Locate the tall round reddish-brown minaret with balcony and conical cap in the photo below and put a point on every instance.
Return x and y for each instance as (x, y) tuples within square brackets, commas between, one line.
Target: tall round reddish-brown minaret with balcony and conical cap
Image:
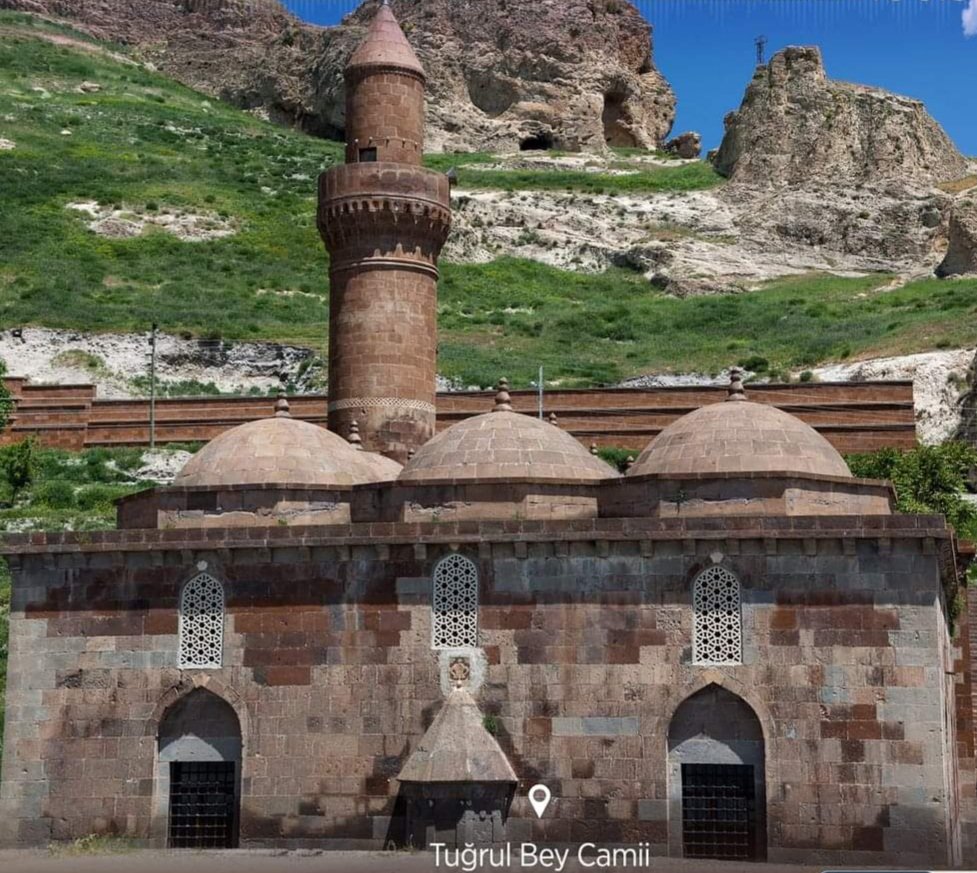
[(384, 219)]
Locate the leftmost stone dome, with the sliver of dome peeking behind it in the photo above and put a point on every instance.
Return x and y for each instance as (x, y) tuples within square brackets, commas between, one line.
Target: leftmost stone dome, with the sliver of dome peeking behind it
[(282, 451)]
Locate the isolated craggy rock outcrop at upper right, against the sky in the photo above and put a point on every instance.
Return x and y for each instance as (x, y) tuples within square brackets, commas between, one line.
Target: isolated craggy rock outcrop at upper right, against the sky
[(796, 127)]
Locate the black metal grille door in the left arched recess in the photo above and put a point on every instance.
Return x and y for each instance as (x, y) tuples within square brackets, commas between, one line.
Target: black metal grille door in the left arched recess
[(203, 805)]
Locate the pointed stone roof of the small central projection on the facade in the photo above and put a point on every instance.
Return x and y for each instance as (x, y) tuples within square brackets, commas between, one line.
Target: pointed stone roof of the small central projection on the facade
[(457, 748)]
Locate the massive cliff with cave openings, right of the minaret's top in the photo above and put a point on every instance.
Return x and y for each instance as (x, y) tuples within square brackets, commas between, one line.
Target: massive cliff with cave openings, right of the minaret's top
[(510, 74)]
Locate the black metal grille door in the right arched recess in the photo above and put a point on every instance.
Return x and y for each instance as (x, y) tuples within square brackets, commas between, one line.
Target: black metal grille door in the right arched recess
[(719, 811)]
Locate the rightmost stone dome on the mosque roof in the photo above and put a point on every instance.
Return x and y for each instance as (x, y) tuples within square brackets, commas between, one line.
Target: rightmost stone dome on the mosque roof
[(739, 437)]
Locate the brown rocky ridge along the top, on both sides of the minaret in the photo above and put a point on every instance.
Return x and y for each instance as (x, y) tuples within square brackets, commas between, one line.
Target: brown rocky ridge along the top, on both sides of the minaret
[(503, 74)]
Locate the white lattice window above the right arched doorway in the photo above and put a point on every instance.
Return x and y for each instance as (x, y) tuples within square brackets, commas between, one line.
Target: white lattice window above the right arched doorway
[(717, 630)]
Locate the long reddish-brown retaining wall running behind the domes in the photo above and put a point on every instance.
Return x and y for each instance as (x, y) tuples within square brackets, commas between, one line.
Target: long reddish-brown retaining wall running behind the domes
[(854, 417)]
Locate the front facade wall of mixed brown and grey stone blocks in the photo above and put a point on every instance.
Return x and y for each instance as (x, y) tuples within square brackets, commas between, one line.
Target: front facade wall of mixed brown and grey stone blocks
[(585, 657)]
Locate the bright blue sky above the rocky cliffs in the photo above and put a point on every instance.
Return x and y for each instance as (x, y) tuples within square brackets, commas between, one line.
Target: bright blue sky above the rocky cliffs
[(922, 48)]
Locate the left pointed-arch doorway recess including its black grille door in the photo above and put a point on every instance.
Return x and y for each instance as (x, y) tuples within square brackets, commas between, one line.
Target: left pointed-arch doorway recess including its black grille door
[(199, 772)]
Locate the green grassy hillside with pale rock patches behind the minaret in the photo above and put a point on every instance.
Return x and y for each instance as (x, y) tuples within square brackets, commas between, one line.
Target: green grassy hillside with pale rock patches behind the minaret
[(600, 267)]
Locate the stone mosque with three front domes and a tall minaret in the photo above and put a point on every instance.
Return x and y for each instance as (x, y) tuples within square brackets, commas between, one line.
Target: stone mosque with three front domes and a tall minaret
[(374, 636)]
